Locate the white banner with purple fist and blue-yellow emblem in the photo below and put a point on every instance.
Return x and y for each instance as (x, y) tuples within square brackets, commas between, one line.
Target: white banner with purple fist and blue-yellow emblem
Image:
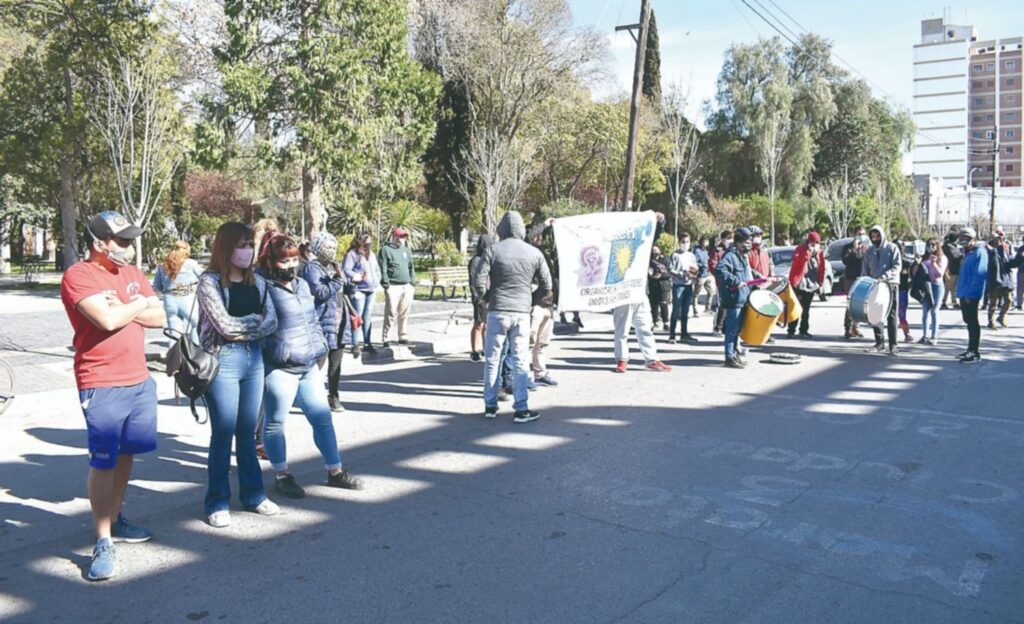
[(603, 260)]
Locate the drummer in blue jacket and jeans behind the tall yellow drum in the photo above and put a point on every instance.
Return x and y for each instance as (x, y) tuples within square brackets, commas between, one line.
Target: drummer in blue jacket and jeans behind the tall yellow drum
[(735, 277)]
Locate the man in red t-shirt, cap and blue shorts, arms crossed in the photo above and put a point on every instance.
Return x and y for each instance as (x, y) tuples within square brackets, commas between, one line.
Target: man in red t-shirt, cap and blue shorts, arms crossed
[(110, 303)]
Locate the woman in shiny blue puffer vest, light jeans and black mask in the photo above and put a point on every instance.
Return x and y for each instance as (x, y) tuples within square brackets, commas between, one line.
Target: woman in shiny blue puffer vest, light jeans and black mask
[(290, 356)]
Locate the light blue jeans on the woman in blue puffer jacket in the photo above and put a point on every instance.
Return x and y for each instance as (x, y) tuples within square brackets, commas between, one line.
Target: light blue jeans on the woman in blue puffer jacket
[(307, 391)]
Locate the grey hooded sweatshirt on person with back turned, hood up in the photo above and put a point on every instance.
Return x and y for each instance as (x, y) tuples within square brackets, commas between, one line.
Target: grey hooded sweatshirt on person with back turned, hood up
[(511, 268)]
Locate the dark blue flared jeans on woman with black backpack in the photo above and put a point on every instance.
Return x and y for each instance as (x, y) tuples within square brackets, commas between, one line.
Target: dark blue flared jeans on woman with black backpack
[(234, 399)]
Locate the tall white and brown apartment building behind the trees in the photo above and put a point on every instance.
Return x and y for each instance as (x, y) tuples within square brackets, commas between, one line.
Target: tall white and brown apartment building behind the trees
[(965, 93)]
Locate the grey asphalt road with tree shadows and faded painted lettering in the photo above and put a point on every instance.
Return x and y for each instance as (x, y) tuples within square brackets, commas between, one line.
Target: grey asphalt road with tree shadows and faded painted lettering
[(848, 488)]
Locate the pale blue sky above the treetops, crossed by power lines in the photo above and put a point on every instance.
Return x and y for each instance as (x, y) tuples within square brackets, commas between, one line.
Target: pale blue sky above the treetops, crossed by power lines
[(875, 36)]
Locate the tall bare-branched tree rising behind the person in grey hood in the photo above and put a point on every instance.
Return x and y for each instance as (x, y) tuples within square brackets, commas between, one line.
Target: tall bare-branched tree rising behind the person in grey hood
[(509, 57)]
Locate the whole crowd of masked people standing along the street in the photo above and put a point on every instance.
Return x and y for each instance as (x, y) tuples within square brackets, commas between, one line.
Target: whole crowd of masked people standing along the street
[(276, 313)]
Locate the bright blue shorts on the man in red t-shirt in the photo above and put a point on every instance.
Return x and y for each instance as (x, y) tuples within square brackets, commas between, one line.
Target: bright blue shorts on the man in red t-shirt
[(121, 421)]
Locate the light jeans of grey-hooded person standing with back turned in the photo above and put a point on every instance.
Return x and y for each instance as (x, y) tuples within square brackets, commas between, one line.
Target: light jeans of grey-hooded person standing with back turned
[(515, 329)]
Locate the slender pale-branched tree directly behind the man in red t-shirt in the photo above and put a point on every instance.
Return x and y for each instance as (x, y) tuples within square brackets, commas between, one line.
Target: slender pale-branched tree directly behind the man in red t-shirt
[(138, 123)]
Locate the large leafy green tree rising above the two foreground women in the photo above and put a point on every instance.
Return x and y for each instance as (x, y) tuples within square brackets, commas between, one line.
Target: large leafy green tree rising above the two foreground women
[(333, 89)]
